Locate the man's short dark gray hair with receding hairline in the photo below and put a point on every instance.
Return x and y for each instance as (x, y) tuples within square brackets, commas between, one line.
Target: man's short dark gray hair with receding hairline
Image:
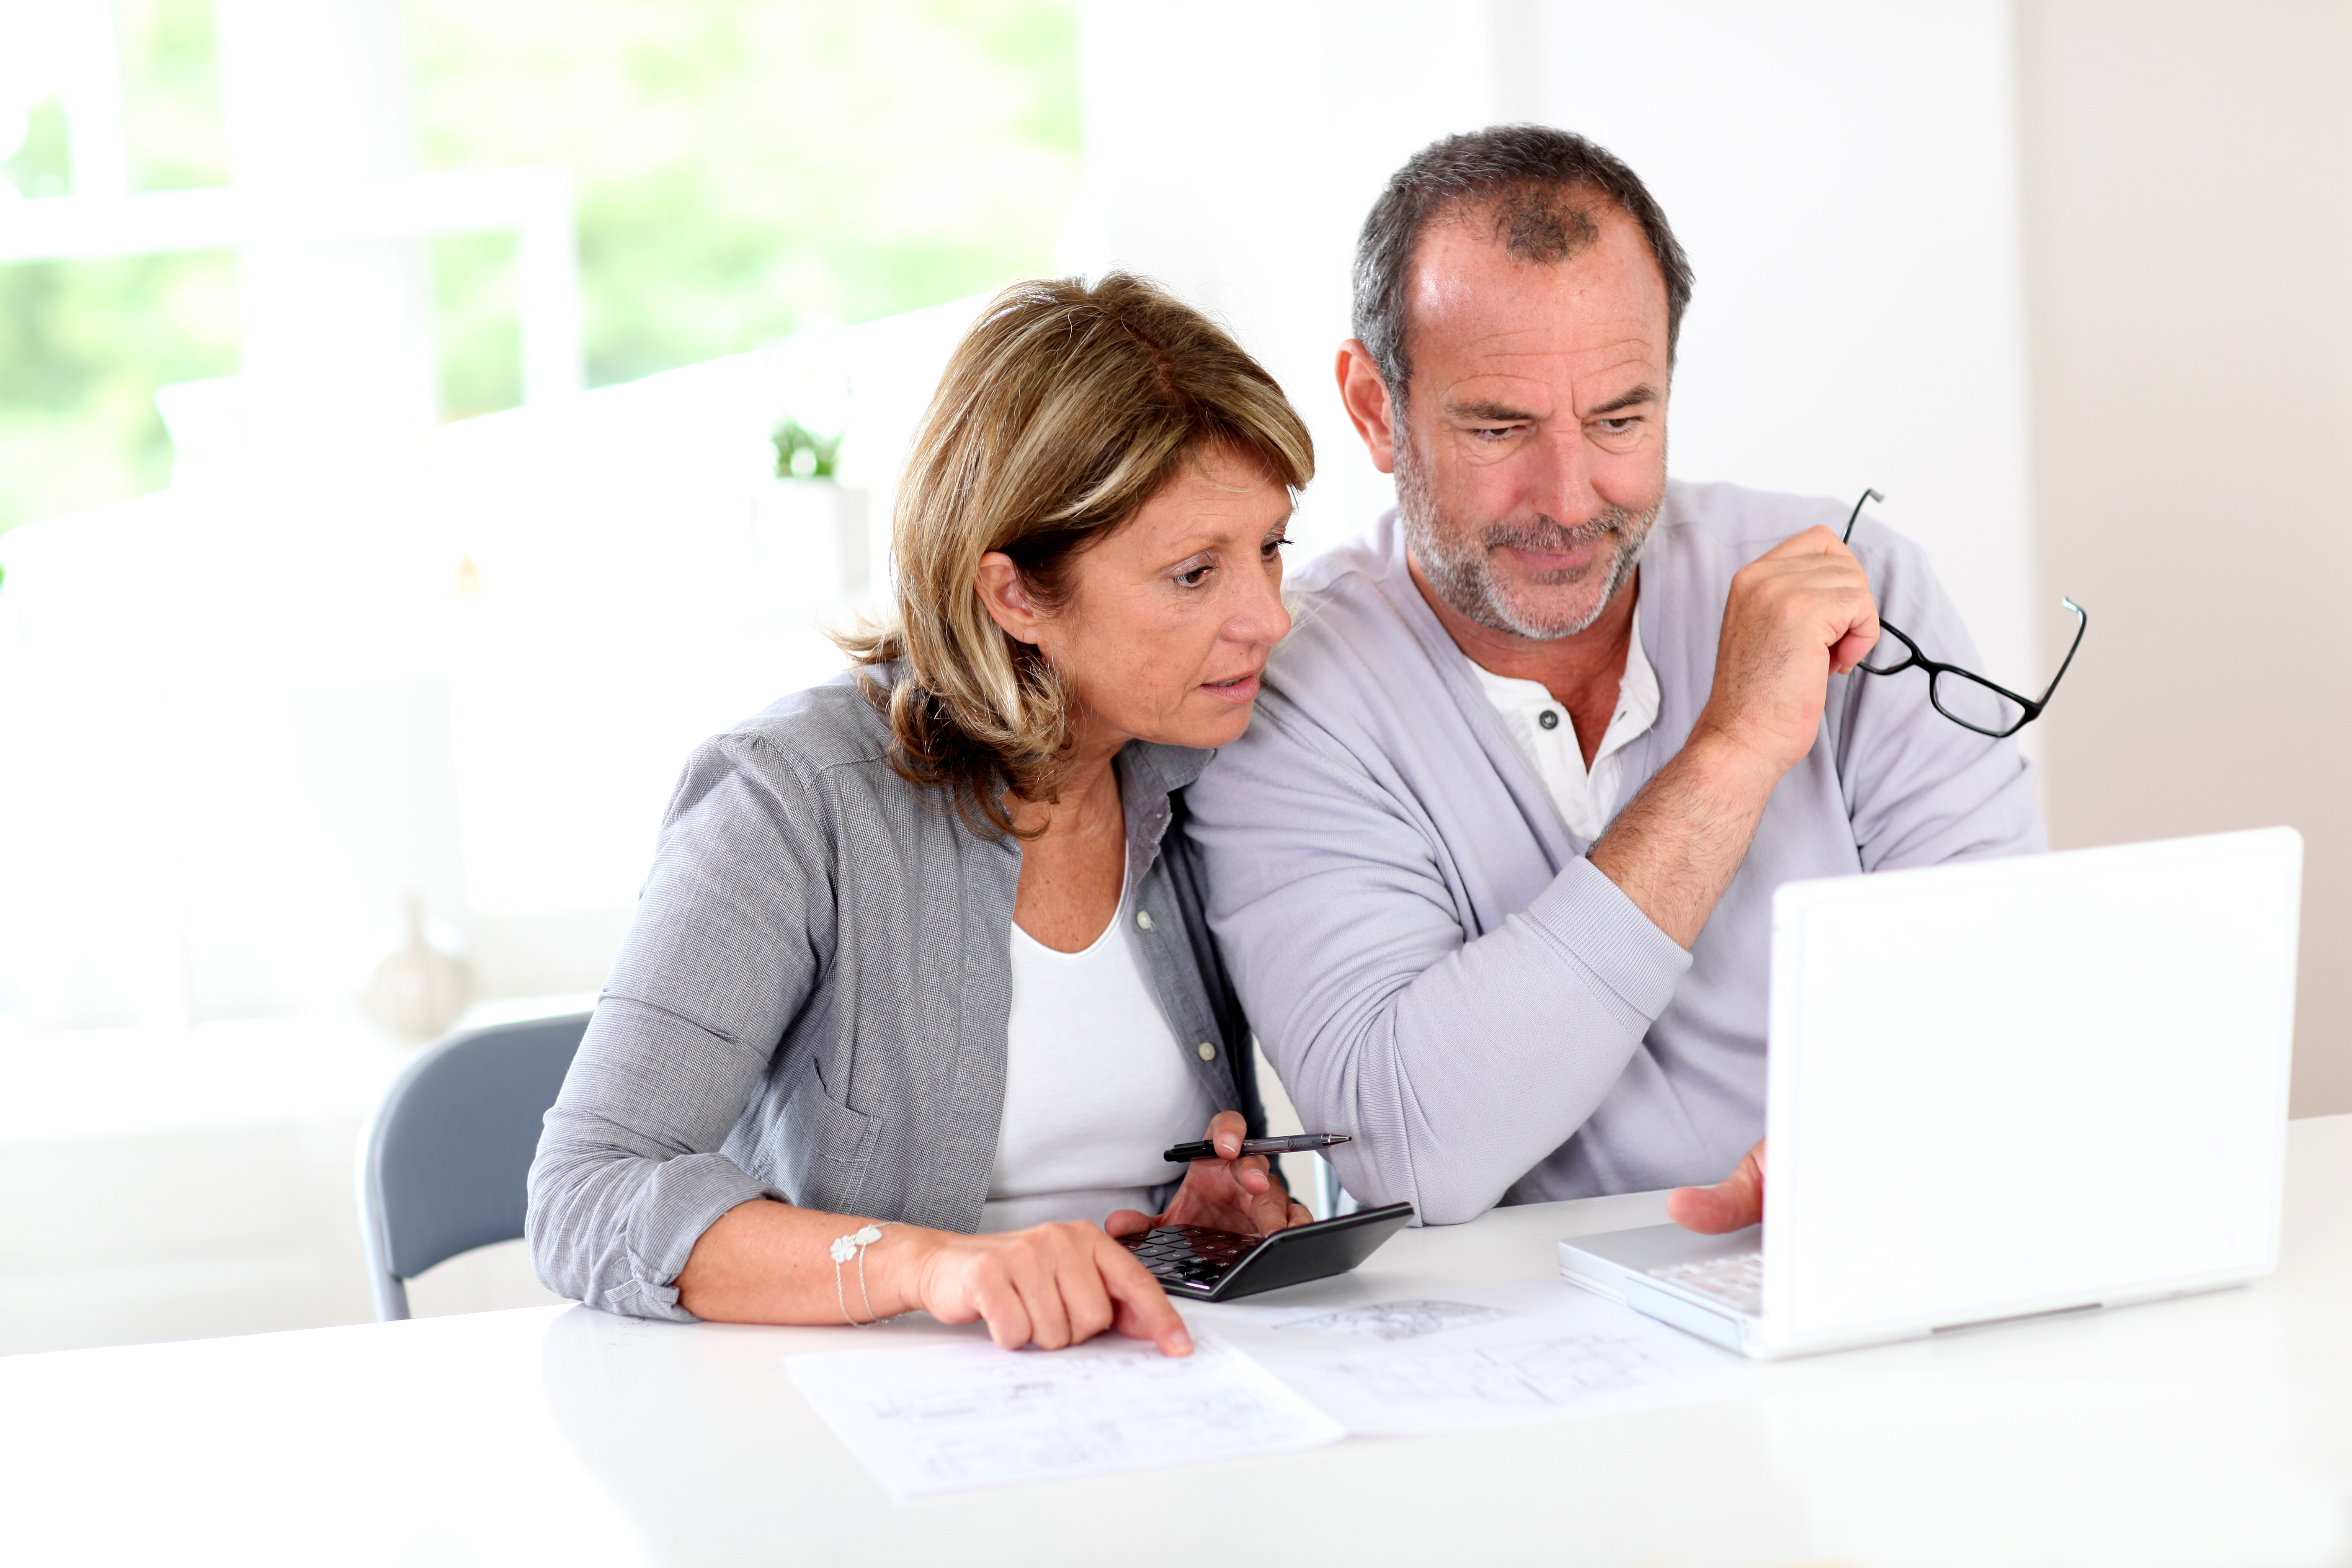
[(1530, 177)]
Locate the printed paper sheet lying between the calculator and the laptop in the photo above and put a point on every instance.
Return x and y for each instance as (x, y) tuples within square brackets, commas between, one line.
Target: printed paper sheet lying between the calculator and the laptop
[(1481, 1358)]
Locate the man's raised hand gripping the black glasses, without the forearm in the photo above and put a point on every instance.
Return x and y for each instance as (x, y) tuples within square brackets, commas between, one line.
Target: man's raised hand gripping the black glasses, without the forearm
[(1796, 615)]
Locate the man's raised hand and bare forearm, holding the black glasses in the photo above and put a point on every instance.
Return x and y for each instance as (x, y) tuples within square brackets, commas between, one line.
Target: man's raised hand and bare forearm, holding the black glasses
[(1796, 615)]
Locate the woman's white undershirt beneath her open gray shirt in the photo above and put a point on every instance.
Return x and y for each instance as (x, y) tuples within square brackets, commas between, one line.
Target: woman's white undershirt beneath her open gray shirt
[(1095, 1085)]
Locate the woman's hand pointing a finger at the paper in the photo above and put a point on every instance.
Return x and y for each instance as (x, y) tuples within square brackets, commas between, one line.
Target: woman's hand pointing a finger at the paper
[(1048, 1285)]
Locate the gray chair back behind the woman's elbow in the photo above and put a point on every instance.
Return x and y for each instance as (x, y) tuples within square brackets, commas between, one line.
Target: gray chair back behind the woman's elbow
[(446, 1162)]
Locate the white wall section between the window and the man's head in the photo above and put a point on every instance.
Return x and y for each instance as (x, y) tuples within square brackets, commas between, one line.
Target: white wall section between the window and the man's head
[(1238, 166)]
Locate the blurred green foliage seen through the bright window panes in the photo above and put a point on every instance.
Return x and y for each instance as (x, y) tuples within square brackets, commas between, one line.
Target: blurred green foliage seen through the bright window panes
[(744, 170)]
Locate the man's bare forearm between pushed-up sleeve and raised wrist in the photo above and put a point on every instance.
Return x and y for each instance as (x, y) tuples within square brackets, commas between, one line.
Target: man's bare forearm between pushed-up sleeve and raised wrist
[(1683, 838)]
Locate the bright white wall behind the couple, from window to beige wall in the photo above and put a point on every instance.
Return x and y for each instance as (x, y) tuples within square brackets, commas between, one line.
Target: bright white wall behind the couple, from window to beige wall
[(1843, 177)]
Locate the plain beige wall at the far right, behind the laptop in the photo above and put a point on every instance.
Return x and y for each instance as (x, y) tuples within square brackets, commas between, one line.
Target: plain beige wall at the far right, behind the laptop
[(2191, 243)]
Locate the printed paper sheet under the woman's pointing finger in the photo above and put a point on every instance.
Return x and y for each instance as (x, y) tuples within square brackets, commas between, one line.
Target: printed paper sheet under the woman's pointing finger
[(961, 1416)]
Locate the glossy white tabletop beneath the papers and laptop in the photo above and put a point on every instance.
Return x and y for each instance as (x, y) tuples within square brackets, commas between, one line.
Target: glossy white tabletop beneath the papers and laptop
[(2198, 1433)]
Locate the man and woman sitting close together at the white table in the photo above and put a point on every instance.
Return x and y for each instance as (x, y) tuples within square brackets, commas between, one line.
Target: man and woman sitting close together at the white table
[(937, 958)]
